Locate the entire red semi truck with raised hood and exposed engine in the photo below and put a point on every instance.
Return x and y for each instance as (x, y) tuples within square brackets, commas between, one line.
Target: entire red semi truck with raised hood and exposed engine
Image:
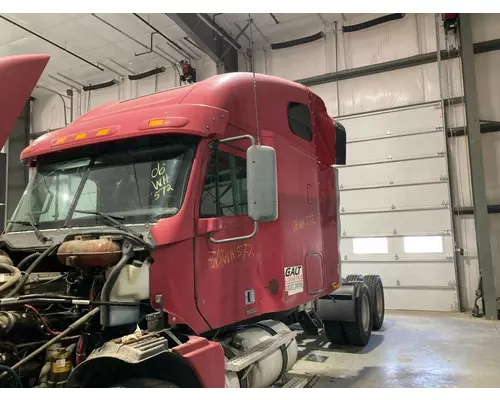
[(176, 239)]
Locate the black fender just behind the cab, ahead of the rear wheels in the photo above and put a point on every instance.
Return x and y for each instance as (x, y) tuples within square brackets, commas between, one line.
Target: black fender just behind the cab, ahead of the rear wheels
[(339, 305)]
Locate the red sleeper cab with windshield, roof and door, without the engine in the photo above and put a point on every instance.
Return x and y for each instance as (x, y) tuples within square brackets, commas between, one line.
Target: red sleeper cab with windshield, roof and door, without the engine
[(151, 161)]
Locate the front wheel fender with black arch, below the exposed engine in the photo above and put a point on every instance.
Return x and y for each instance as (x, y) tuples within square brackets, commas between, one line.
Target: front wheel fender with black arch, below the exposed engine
[(151, 357)]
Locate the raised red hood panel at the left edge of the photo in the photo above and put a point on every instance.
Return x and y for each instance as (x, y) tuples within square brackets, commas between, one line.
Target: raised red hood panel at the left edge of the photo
[(18, 77)]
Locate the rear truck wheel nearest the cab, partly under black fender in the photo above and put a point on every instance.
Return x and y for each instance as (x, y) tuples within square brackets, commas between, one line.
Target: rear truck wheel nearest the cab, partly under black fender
[(358, 333)]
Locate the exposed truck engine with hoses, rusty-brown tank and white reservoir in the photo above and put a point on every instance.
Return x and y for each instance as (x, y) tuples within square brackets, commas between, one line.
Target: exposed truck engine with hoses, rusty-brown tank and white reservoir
[(49, 322)]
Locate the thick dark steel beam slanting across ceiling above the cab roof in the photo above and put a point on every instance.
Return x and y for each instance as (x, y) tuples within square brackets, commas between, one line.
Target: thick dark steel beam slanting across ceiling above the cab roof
[(211, 39)]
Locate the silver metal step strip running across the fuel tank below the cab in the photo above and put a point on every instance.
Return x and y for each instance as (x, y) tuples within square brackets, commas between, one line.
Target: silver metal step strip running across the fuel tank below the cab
[(263, 349)]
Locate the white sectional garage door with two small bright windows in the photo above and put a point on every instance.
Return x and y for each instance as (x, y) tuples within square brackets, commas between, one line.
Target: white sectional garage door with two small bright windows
[(395, 214)]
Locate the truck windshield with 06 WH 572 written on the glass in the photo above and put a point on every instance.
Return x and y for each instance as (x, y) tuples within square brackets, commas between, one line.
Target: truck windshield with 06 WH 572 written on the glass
[(135, 186)]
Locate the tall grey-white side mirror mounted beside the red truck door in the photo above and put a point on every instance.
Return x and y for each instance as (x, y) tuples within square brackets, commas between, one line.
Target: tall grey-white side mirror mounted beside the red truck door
[(262, 184)]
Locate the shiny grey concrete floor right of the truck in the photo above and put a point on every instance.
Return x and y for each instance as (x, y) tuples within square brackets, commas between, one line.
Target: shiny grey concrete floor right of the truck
[(412, 350)]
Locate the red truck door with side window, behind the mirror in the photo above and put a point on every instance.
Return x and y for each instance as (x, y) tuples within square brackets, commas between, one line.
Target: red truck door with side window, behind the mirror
[(224, 271)]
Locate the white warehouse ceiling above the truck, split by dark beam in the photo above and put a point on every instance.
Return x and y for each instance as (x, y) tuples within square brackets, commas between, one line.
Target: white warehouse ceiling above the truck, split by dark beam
[(90, 37)]
